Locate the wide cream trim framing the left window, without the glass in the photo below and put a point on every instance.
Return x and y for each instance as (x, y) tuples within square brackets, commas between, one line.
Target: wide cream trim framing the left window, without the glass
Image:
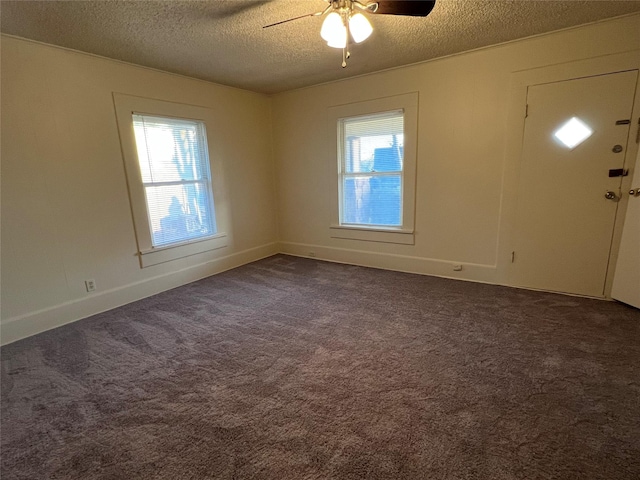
[(125, 106)]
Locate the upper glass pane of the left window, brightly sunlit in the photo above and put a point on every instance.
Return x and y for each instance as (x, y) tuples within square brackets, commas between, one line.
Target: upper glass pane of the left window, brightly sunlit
[(169, 149)]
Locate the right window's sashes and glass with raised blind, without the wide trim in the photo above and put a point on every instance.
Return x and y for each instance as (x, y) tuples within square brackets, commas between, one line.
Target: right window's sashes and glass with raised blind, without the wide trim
[(371, 169)]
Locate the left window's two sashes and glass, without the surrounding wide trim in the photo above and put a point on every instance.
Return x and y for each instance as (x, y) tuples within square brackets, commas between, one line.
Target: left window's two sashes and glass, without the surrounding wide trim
[(174, 166)]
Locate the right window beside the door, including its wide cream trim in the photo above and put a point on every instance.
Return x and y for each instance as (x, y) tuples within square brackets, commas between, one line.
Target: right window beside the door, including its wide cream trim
[(375, 154)]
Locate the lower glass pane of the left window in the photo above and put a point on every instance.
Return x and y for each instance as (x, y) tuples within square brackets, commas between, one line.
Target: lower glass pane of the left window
[(179, 213)]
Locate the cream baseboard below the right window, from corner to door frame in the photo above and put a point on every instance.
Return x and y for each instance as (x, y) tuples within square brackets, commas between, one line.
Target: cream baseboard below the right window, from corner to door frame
[(399, 263)]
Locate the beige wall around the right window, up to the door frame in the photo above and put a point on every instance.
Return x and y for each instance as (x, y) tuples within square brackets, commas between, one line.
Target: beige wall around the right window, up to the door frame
[(465, 121)]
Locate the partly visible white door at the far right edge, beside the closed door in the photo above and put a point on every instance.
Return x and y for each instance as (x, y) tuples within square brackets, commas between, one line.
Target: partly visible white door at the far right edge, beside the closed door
[(626, 282)]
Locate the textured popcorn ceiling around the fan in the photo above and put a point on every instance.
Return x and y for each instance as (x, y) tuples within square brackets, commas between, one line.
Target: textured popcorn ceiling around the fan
[(223, 40)]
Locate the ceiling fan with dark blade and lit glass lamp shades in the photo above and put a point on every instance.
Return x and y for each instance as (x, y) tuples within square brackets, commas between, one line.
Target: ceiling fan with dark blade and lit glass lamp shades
[(344, 19)]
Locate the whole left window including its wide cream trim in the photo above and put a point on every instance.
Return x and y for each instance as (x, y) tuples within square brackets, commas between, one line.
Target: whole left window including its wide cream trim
[(173, 178)]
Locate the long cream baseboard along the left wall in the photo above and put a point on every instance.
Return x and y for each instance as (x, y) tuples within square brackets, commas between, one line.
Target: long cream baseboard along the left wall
[(17, 328)]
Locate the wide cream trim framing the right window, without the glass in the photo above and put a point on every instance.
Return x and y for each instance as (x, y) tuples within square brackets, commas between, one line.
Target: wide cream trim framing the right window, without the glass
[(403, 234)]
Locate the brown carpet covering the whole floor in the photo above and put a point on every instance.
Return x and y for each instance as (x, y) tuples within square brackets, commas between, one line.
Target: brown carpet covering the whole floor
[(292, 369)]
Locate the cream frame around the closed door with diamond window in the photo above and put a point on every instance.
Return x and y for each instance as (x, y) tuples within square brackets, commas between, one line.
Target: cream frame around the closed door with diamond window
[(520, 82)]
